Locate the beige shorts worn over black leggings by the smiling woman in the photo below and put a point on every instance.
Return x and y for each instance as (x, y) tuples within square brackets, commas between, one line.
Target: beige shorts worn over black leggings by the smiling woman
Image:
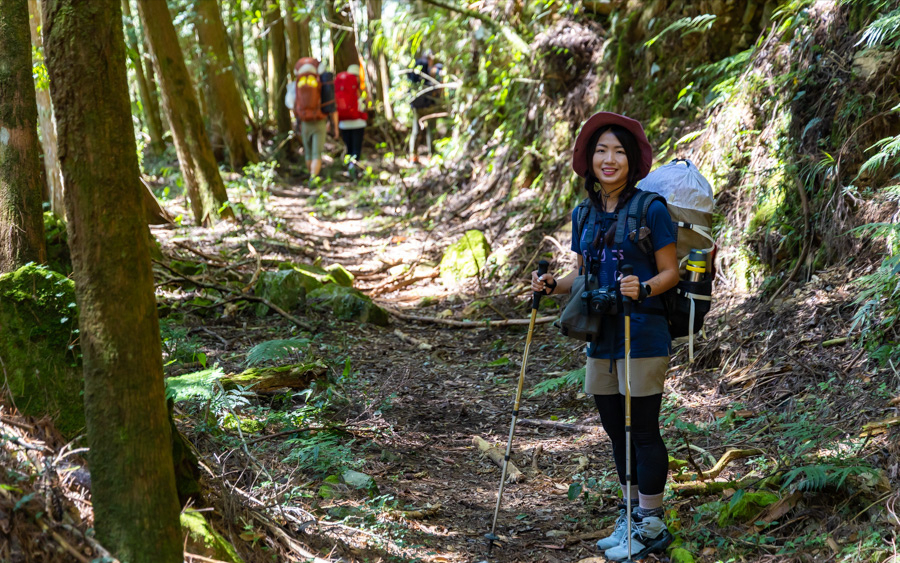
[(647, 376)]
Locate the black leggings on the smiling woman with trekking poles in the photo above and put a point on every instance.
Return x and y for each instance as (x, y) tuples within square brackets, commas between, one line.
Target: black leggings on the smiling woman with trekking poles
[(650, 459)]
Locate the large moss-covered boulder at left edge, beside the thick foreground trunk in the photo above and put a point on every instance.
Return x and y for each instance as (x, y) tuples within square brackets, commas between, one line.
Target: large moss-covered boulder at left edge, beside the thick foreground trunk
[(38, 345)]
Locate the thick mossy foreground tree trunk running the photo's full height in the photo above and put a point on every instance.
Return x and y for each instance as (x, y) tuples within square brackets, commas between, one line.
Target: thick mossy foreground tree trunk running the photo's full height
[(136, 511)]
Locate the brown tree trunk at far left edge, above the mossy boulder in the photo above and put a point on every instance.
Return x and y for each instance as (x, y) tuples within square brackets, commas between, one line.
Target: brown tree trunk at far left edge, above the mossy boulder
[(21, 221)]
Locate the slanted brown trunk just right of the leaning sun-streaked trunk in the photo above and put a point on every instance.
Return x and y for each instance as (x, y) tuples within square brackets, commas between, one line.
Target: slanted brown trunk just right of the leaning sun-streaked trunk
[(224, 99)]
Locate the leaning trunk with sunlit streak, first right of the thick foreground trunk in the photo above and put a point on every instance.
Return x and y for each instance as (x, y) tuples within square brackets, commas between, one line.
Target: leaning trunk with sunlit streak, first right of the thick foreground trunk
[(198, 166)]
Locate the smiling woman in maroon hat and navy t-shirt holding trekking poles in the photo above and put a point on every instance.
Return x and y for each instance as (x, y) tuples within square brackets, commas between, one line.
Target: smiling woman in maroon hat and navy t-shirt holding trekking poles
[(611, 154)]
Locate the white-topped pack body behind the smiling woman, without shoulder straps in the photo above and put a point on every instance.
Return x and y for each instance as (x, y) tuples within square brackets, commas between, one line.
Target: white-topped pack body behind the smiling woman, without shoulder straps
[(689, 198)]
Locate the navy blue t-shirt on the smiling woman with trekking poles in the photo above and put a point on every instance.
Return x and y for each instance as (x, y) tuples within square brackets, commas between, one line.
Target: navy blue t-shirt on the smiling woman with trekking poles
[(649, 333)]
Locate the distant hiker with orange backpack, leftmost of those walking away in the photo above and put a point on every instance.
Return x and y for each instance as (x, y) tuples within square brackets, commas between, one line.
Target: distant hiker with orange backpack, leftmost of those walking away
[(312, 100)]
